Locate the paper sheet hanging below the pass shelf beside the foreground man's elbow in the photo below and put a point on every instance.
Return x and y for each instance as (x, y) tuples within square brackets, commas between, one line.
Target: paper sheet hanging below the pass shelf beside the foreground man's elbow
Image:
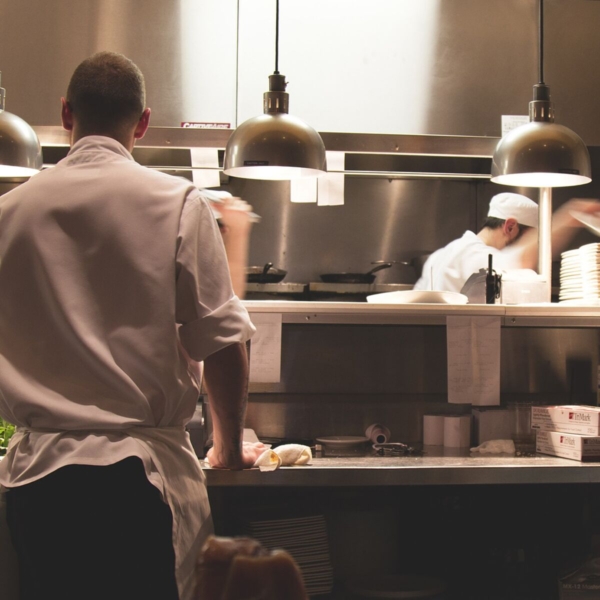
[(265, 348)]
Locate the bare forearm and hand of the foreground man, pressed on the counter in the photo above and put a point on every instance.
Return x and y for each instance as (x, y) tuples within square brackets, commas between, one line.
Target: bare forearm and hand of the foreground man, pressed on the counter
[(226, 380)]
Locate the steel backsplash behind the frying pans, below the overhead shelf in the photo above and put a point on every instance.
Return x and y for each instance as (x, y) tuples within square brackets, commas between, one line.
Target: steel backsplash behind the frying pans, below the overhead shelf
[(381, 220)]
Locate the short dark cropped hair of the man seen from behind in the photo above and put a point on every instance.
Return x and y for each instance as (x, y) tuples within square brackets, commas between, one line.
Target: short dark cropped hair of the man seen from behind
[(106, 92)]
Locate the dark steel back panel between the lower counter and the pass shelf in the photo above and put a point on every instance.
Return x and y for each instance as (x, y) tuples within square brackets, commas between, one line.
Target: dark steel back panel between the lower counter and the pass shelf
[(337, 380)]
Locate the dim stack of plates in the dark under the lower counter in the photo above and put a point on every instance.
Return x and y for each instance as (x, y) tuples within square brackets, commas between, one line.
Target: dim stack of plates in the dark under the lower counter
[(305, 538)]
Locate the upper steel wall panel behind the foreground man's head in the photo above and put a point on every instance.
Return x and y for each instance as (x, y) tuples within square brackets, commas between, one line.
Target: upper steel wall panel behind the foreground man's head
[(185, 48)]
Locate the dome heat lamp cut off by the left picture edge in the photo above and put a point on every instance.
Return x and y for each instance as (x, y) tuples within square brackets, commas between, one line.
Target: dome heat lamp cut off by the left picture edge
[(20, 150)]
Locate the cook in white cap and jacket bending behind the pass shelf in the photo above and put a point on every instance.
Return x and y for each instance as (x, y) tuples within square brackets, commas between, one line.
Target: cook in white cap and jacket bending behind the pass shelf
[(509, 234)]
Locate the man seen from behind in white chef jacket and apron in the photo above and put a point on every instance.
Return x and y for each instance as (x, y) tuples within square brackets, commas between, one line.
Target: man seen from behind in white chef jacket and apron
[(113, 276)]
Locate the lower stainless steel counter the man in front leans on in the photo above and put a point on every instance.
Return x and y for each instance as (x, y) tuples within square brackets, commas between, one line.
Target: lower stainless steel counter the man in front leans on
[(425, 470)]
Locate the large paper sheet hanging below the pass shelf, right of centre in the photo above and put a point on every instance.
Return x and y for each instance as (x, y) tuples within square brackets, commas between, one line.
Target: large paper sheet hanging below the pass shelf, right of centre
[(473, 345)]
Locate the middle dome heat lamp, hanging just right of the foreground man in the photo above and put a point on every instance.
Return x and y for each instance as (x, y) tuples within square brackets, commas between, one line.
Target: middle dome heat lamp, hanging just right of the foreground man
[(275, 145)]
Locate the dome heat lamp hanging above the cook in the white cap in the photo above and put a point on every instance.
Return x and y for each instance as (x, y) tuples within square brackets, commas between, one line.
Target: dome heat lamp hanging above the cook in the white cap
[(541, 153)]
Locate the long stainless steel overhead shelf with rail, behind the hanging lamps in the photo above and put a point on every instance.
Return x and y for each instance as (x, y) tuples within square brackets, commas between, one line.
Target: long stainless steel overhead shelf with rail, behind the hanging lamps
[(390, 156)]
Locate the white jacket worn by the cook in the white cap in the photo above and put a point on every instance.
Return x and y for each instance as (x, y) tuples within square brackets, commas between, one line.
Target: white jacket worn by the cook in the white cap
[(448, 268)]
